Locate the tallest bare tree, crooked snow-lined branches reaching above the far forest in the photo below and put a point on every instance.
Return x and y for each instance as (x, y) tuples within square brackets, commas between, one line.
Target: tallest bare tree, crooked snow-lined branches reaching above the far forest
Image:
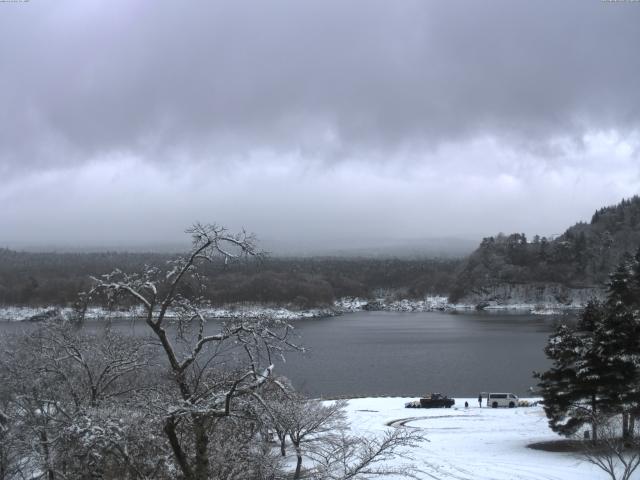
[(205, 387)]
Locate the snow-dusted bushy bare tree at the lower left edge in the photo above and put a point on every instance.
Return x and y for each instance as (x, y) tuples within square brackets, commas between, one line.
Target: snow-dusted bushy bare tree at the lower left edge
[(50, 379)]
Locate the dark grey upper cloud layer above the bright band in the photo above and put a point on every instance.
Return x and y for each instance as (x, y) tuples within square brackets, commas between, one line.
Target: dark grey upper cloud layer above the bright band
[(332, 78)]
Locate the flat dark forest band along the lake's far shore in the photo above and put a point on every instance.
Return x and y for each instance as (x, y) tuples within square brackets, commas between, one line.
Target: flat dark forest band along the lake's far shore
[(35, 279)]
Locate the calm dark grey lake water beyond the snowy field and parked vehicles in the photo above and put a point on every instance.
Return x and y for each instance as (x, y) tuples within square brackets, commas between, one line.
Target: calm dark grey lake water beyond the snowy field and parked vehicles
[(409, 354)]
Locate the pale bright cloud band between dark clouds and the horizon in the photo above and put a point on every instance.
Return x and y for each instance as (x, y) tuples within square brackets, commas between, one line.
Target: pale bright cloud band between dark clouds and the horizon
[(467, 191)]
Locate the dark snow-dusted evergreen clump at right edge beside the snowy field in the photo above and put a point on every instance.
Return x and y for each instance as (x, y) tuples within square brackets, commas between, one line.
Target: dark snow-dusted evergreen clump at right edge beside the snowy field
[(596, 365)]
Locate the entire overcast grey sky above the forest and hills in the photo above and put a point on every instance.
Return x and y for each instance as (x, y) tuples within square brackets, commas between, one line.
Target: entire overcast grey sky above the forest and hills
[(315, 124)]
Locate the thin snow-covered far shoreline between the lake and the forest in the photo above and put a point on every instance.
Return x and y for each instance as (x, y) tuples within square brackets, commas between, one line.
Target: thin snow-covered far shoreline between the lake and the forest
[(344, 305)]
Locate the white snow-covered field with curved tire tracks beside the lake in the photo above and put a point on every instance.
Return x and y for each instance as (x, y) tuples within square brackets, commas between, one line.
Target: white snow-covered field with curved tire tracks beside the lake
[(474, 443)]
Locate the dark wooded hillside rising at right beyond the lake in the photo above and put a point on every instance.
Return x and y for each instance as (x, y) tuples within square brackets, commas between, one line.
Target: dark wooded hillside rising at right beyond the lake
[(580, 258)]
